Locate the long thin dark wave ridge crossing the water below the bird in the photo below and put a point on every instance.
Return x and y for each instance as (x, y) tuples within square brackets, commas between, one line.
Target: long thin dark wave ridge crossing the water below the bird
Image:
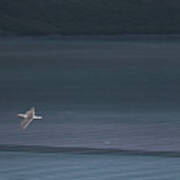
[(85, 150)]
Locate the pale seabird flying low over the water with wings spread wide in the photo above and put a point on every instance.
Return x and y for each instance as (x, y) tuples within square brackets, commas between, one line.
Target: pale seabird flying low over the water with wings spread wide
[(28, 117)]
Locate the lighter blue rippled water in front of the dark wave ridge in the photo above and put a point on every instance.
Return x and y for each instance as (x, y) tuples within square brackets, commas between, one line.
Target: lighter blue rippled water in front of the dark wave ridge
[(21, 165)]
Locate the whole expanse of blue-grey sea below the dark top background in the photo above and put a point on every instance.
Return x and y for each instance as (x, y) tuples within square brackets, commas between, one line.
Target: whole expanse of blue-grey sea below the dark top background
[(108, 94)]
